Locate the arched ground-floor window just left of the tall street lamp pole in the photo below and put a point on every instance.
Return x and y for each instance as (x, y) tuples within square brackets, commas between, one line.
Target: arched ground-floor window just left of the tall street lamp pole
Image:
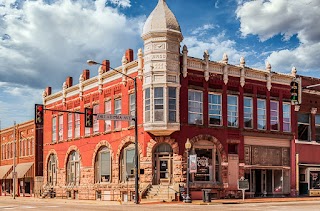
[(127, 163)]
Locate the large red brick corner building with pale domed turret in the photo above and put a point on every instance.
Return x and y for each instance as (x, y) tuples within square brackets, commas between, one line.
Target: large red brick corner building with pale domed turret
[(238, 119)]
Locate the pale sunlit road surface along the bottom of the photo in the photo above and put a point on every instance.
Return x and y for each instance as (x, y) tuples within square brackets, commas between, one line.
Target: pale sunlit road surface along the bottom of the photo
[(30, 205)]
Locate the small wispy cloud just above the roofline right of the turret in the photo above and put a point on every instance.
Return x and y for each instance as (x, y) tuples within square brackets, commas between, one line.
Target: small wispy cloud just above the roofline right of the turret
[(216, 46)]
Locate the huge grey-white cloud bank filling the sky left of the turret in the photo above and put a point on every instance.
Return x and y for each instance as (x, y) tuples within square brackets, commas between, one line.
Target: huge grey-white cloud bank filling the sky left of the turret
[(41, 44)]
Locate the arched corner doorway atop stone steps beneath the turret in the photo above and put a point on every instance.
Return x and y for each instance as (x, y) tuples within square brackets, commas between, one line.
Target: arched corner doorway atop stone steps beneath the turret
[(162, 164)]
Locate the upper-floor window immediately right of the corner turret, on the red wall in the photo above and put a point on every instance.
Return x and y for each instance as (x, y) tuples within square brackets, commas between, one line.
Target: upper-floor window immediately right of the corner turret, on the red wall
[(195, 107)]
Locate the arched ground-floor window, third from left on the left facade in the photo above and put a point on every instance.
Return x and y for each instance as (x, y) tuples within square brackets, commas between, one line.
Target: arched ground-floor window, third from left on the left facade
[(103, 165)]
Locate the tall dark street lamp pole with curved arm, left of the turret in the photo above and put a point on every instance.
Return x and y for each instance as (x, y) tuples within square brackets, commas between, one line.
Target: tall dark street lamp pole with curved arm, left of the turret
[(136, 185)]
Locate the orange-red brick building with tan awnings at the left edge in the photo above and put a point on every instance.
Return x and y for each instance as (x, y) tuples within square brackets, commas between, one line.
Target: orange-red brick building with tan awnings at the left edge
[(27, 159)]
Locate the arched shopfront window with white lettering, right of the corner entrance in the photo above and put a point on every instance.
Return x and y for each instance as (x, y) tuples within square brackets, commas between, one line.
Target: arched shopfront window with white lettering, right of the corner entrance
[(208, 162)]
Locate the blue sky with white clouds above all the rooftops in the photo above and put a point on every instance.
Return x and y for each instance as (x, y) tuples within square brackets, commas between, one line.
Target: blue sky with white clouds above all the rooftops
[(44, 41)]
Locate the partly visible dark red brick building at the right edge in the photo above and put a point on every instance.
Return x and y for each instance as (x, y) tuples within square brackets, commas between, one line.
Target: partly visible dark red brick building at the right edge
[(308, 138)]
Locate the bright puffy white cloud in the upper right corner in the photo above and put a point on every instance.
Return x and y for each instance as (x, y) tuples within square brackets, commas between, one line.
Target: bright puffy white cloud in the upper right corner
[(269, 18)]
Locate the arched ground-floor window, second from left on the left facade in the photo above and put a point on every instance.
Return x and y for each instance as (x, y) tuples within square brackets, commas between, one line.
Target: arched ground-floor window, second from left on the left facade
[(73, 169)]
